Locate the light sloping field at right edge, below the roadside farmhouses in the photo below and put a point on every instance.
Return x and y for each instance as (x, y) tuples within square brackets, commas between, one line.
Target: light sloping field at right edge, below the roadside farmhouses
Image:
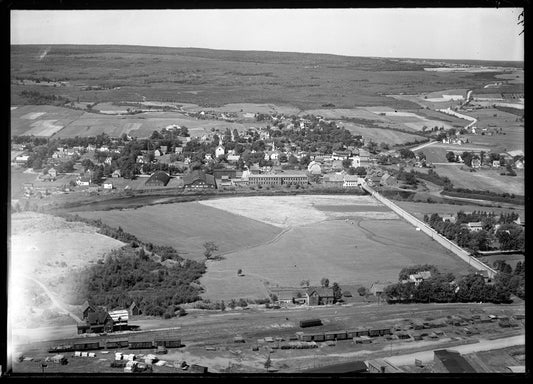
[(485, 179)]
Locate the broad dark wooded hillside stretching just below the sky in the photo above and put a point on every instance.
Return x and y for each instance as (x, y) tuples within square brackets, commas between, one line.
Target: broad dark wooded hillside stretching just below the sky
[(216, 77)]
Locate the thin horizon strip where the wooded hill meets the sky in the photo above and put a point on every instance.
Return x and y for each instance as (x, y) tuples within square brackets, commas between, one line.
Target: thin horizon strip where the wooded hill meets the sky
[(254, 50)]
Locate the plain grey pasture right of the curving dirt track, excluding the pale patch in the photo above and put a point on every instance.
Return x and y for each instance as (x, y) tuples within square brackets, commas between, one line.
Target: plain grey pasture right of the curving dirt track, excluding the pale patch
[(366, 251)]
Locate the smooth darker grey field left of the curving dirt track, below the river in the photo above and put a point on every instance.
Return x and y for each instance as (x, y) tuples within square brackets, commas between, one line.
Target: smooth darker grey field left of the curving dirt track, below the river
[(187, 226)]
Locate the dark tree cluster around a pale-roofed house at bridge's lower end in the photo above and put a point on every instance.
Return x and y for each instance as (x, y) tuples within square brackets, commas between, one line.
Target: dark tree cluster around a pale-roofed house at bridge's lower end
[(441, 288)]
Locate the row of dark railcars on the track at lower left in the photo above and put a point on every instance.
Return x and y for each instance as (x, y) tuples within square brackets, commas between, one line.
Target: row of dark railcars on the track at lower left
[(116, 343)]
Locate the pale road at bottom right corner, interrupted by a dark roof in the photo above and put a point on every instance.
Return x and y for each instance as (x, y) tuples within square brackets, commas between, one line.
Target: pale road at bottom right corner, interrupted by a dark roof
[(483, 345)]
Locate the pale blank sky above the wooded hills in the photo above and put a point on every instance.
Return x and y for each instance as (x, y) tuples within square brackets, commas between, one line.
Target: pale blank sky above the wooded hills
[(445, 33)]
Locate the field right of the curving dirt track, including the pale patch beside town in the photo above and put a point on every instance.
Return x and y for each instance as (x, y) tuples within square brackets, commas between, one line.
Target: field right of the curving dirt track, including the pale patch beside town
[(350, 240)]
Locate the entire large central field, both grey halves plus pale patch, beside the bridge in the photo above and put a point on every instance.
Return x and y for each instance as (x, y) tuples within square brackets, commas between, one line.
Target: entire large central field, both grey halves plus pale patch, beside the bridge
[(283, 240)]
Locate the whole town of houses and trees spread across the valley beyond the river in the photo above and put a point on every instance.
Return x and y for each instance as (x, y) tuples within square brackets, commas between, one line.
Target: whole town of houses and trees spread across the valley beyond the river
[(258, 157)]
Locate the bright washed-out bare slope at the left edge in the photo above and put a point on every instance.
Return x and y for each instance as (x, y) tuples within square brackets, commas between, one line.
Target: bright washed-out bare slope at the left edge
[(47, 249)]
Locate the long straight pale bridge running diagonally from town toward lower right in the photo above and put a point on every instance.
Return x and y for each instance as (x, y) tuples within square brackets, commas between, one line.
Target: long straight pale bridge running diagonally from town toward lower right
[(464, 255)]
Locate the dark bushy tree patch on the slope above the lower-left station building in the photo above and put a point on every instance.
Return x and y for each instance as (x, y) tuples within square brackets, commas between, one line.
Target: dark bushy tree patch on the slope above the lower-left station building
[(128, 274)]
